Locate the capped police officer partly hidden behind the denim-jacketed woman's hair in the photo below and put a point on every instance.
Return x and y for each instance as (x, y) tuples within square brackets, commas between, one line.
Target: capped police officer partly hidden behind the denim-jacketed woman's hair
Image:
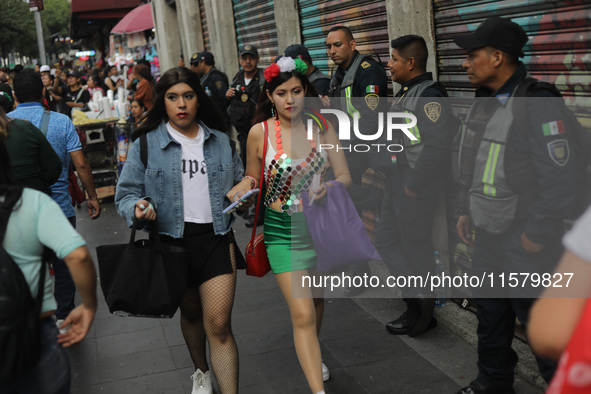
[(213, 81)]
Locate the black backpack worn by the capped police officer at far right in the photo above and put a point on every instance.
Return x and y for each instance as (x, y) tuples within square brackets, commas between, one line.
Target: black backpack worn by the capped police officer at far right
[(582, 137)]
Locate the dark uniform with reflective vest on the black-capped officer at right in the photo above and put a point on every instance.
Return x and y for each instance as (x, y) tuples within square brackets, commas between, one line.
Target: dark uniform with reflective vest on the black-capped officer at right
[(514, 182)]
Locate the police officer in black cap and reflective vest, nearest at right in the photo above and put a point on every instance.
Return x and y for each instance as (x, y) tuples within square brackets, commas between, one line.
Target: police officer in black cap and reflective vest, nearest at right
[(517, 184)]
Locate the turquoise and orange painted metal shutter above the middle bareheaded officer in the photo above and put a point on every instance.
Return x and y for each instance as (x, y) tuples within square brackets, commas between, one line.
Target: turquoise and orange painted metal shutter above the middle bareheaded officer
[(367, 20)]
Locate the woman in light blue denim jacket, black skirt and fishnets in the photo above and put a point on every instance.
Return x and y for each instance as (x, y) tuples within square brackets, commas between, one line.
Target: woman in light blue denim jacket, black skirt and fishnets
[(191, 167)]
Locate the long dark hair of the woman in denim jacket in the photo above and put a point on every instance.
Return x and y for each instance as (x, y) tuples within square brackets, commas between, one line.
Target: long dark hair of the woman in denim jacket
[(207, 112)]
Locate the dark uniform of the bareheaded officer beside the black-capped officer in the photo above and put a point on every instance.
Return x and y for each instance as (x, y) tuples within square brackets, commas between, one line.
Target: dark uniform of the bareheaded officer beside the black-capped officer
[(403, 234)]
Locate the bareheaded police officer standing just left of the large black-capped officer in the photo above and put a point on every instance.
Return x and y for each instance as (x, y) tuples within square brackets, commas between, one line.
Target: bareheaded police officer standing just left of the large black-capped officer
[(415, 179)]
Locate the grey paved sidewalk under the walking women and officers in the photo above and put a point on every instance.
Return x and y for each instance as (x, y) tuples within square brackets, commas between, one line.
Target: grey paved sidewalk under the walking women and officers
[(134, 355)]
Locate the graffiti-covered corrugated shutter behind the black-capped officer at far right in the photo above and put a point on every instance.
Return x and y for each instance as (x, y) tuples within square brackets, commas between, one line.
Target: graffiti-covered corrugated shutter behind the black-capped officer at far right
[(559, 51)]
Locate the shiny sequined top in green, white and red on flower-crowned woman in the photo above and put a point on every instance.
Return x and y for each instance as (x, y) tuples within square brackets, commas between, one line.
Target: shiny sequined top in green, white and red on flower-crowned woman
[(286, 178)]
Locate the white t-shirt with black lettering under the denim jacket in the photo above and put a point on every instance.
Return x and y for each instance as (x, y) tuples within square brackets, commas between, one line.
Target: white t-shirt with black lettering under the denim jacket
[(197, 206)]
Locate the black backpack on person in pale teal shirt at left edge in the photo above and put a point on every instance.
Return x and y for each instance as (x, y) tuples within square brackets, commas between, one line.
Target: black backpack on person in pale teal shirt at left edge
[(19, 315)]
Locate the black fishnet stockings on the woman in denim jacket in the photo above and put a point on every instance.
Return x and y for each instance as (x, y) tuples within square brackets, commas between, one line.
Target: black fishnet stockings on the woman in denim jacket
[(207, 312)]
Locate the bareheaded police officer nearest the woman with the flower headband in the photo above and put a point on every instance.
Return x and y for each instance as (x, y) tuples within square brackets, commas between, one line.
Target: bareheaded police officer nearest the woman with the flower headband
[(357, 79)]
